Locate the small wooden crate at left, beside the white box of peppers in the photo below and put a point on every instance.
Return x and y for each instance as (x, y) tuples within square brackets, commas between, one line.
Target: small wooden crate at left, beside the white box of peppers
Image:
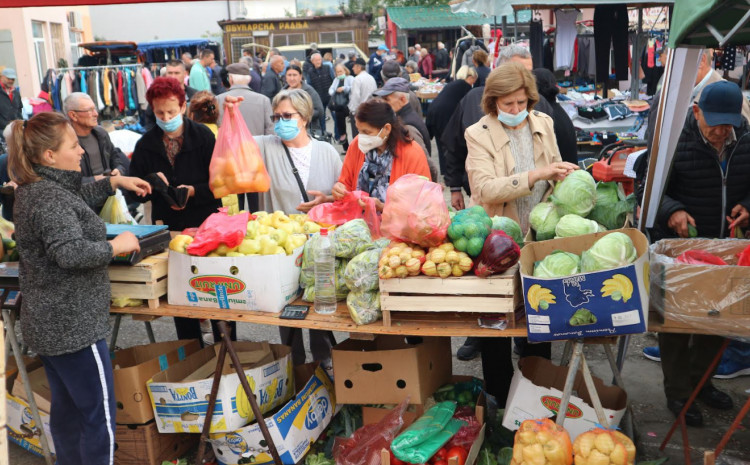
[(146, 280)]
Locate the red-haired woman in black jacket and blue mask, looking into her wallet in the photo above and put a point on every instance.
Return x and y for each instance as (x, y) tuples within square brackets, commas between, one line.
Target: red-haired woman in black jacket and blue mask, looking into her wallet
[(178, 151)]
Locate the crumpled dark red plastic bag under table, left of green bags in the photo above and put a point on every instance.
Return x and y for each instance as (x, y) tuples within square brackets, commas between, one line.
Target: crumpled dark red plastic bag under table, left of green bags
[(364, 447)]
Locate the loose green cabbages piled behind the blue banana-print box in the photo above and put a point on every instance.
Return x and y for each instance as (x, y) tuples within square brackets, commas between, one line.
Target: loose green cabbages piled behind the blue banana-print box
[(579, 205)]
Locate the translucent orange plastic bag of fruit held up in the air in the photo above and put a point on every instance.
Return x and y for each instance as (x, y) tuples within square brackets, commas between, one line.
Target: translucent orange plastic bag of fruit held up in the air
[(236, 165)]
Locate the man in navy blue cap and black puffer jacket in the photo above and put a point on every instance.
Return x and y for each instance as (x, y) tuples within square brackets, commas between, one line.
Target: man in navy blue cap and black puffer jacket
[(707, 188)]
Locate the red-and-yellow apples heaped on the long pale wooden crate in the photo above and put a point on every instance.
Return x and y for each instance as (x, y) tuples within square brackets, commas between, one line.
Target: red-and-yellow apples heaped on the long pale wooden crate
[(401, 259)]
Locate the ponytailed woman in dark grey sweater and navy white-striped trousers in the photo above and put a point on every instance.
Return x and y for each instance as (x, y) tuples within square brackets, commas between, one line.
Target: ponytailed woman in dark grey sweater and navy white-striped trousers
[(63, 276)]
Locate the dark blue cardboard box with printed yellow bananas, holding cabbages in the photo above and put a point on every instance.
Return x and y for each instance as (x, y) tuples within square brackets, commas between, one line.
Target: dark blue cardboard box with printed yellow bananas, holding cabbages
[(596, 304)]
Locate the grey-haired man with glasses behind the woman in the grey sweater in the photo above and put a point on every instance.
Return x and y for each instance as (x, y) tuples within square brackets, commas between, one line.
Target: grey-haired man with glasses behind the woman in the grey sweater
[(101, 158)]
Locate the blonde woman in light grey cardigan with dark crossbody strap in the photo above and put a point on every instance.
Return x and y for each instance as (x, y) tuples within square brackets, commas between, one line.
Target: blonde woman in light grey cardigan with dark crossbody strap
[(318, 166)]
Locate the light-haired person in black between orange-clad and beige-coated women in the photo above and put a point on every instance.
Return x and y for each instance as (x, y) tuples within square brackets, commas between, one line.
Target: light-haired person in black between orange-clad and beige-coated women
[(442, 108)]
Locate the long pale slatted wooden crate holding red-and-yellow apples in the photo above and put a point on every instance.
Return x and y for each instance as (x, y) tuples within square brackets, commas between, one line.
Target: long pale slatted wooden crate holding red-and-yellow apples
[(467, 294)]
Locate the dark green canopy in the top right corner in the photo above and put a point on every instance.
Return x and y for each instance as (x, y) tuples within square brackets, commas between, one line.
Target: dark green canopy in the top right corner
[(709, 22)]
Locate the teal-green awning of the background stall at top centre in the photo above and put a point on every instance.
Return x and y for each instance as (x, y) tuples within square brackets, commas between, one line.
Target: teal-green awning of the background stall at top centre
[(433, 17)]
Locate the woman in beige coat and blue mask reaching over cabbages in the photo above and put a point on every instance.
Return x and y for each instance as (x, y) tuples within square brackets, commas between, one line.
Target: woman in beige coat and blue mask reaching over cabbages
[(512, 162)]
